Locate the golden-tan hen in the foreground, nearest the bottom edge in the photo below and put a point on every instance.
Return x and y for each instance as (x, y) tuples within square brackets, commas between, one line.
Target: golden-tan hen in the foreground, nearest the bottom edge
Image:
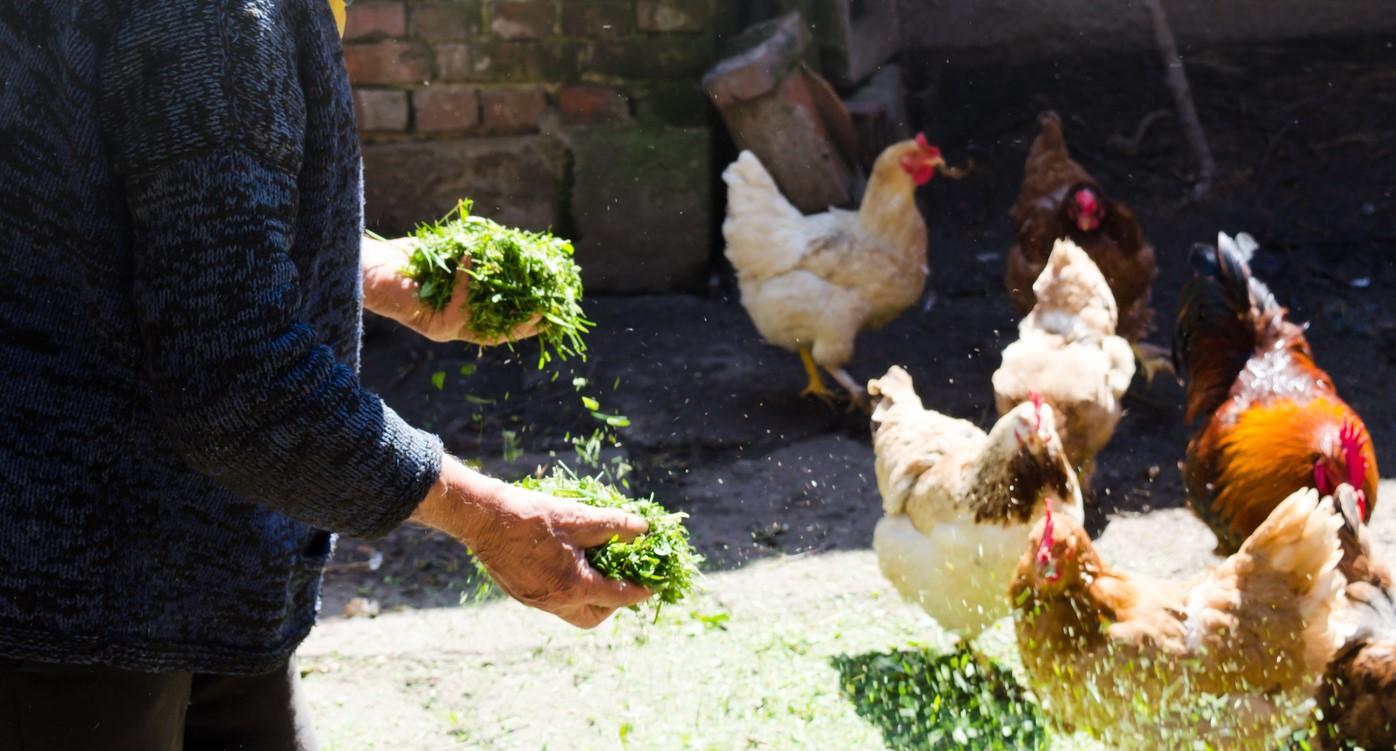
[(1144, 665)]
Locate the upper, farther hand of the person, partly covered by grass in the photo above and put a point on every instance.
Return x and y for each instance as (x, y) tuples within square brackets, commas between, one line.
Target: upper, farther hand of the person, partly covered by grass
[(387, 292)]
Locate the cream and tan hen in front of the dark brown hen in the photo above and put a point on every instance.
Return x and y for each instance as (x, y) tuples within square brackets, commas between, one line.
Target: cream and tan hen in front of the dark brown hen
[(1069, 352)]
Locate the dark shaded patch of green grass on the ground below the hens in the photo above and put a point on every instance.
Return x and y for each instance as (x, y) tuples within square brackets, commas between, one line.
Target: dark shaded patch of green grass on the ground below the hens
[(923, 701)]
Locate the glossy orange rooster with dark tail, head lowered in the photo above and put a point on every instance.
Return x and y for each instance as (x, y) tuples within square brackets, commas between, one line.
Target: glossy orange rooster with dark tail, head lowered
[(1272, 419)]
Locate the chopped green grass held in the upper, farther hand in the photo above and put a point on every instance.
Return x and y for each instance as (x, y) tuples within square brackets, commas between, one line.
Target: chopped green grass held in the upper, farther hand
[(516, 277)]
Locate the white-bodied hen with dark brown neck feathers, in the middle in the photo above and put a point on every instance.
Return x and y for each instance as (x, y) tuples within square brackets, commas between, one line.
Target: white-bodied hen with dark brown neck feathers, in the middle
[(960, 503)]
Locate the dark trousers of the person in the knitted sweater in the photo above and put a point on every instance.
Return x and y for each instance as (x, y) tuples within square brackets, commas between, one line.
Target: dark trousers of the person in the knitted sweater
[(96, 708)]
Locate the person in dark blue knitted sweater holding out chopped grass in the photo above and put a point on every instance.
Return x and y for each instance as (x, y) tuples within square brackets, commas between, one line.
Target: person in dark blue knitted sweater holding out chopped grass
[(182, 426)]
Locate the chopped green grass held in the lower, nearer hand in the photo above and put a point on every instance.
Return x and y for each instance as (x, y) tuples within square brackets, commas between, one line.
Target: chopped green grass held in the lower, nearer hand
[(661, 559)]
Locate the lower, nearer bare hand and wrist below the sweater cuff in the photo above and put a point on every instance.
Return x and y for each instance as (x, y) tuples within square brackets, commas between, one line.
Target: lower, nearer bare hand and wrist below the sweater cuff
[(534, 545)]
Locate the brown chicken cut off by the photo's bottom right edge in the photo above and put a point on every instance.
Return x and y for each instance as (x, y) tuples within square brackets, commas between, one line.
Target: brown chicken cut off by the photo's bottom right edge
[(1358, 699)]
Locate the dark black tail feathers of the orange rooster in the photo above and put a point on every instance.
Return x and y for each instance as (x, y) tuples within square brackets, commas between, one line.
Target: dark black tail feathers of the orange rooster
[(1218, 320)]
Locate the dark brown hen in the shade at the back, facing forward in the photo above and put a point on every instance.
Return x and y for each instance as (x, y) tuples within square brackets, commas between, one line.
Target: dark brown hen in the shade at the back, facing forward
[(1059, 199)]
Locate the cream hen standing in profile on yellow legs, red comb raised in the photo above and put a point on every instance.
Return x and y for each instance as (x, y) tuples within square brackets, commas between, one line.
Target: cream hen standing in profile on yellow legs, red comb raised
[(812, 284)]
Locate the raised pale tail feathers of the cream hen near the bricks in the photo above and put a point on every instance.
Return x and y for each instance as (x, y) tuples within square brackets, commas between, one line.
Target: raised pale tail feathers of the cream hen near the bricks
[(763, 228)]
